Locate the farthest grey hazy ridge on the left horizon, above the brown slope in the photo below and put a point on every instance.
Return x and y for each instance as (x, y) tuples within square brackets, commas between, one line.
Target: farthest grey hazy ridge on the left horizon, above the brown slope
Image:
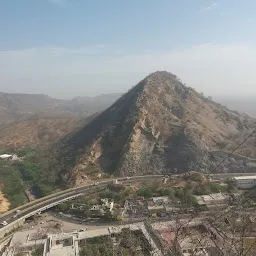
[(17, 106)]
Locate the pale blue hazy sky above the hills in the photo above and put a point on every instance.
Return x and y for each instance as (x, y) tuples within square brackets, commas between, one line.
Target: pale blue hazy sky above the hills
[(67, 48)]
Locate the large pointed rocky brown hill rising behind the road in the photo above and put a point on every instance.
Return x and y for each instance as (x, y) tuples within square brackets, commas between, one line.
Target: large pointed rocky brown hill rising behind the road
[(159, 126)]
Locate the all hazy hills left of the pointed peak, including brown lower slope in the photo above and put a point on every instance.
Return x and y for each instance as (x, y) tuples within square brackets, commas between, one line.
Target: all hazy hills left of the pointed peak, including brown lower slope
[(39, 120)]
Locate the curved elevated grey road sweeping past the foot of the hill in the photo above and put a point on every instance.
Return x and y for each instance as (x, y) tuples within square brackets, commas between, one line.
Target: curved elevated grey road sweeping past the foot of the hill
[(44, 203)]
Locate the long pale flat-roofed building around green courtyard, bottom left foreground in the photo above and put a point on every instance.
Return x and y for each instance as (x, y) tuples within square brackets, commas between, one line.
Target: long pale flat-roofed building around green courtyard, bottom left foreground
[(66, 244)]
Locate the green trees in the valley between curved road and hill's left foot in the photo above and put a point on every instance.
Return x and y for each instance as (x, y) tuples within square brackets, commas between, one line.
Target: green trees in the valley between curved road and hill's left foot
[(17, 176)]
